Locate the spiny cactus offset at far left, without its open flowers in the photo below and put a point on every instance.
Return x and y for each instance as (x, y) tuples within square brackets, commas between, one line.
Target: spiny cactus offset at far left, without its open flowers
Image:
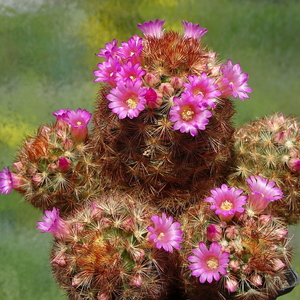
[(55, 169)]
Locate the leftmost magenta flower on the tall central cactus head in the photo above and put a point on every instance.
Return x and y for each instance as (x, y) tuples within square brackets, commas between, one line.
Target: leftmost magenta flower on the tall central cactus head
[(108, 71)]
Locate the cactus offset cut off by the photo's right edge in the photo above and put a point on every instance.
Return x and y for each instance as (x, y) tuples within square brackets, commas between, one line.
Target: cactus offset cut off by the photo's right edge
[(269, 147)]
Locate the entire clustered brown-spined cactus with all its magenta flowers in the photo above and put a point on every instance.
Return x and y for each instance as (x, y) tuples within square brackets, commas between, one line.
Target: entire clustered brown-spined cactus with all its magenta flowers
[(164, 198)]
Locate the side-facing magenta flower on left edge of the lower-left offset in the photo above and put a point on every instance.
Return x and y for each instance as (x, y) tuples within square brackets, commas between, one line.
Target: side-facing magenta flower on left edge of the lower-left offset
[(54, 224)]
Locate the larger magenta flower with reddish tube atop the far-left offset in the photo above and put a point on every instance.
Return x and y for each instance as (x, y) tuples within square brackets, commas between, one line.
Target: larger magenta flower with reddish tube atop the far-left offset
[(79, 121)]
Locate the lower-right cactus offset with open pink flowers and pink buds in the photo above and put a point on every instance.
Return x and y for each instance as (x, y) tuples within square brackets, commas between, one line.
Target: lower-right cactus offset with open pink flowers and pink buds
[(244, 257)]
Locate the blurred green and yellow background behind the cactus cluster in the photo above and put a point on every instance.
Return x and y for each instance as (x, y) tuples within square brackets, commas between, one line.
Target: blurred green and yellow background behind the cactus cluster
[(47, 60)]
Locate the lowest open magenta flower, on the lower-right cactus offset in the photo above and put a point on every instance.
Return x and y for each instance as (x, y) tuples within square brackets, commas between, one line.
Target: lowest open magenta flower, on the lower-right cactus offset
[(209, 264)]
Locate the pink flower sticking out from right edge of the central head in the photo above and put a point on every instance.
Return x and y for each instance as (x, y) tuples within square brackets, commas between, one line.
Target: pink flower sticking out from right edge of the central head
[(234, 82)]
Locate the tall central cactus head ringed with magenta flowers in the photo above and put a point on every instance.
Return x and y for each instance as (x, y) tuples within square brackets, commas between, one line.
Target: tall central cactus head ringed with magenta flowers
[(163, 117)]
